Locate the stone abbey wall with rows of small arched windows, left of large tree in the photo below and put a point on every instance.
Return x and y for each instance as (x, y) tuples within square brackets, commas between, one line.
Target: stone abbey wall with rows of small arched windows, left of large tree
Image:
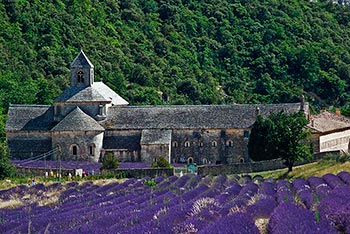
[(208, 146)]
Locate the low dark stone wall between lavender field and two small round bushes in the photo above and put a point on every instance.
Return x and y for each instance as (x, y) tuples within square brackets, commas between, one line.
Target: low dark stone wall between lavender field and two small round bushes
[(141, 173)]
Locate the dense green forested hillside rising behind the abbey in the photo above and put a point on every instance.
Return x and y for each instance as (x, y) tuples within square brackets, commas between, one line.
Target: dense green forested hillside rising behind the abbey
[(177, 51)]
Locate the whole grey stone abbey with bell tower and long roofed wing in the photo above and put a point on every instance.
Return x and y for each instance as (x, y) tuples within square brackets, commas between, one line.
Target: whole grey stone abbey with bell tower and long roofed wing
[(89, 119)]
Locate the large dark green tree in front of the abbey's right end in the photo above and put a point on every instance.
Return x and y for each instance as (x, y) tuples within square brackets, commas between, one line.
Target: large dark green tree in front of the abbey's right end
[(280, 136)]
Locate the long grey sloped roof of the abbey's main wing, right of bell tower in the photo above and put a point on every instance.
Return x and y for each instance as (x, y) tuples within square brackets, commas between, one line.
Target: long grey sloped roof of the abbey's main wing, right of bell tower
[(191, 117)]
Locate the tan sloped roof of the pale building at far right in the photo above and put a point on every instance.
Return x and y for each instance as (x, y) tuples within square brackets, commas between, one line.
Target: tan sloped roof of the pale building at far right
[(328, 121)]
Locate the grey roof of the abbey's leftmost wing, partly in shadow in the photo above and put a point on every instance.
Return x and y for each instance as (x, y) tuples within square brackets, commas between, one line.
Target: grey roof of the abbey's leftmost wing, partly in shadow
[(29, 118)]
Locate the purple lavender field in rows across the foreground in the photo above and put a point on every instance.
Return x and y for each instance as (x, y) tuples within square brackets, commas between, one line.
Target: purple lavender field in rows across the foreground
[(187, 204)]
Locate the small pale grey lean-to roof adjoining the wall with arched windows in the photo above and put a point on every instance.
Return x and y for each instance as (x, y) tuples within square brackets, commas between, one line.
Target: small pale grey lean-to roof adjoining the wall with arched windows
[(155, 136)]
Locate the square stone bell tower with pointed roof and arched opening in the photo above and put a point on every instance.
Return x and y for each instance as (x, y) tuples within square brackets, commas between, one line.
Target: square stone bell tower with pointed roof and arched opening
[(82, 71)]
